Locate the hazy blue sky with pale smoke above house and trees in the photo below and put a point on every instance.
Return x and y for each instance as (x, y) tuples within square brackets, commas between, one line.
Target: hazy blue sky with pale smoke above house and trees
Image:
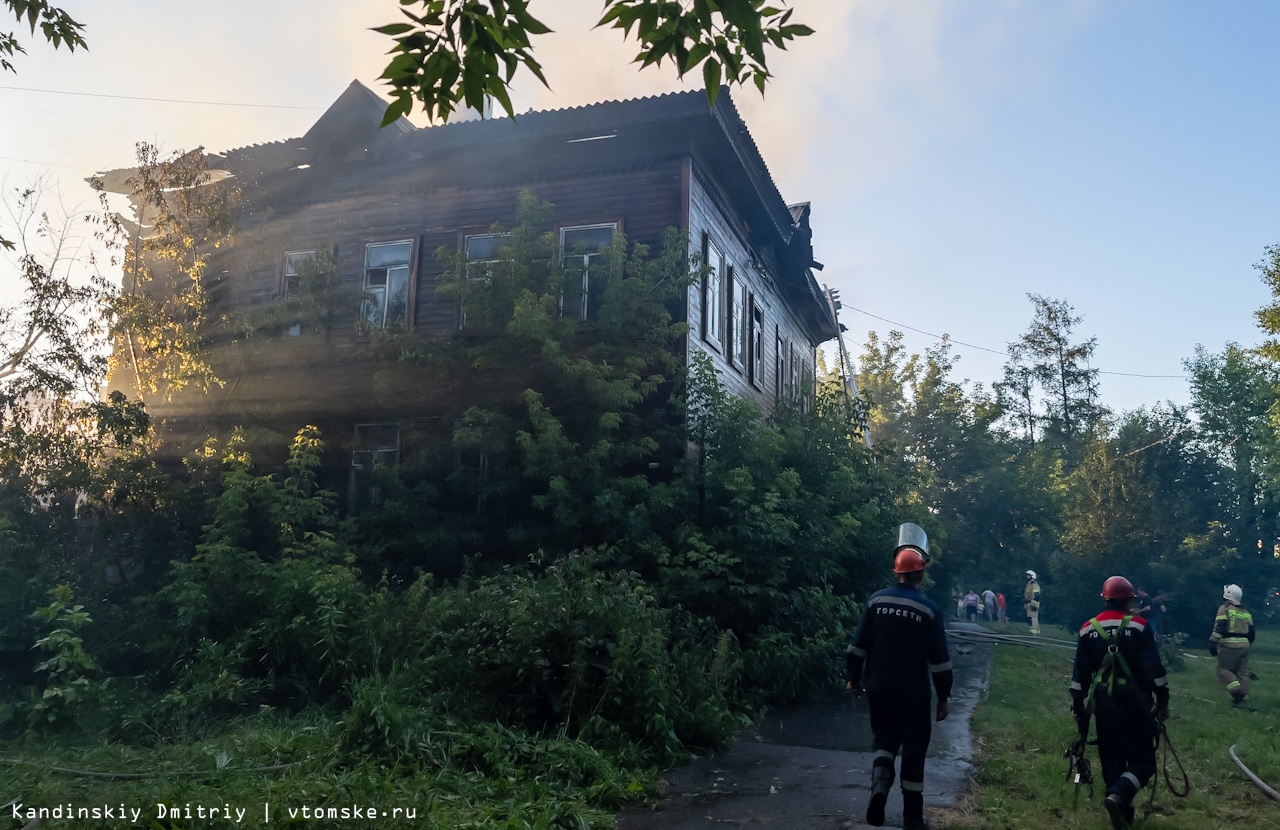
[(958, 154)]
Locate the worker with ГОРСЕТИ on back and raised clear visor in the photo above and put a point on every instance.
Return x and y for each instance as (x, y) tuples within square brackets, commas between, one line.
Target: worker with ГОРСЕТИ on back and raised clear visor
[(900, 656)]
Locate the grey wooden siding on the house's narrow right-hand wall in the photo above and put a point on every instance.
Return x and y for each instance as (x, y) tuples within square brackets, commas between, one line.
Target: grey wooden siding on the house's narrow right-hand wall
[(711, 216)]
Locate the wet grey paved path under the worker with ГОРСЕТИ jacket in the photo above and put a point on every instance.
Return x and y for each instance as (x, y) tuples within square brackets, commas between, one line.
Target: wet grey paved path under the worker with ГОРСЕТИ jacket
[(810, 768)]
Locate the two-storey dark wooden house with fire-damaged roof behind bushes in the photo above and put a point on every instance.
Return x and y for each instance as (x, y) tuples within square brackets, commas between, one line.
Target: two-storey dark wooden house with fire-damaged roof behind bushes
[(383, 200)]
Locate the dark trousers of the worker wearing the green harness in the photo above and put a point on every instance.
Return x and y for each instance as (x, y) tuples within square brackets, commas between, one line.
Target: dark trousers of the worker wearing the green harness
[(1127, 742)]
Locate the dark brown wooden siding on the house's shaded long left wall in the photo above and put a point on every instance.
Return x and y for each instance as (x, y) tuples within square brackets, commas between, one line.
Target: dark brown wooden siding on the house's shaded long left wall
[(313, 377)]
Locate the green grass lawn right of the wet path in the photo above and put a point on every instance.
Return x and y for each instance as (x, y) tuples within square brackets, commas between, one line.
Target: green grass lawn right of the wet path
[(1023, 727)]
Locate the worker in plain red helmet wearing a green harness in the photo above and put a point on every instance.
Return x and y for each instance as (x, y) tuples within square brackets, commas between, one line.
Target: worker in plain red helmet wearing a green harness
[(1119, 679)]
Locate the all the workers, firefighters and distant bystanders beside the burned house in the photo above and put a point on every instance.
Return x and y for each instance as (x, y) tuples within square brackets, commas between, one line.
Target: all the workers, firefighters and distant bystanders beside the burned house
[(899, 658)]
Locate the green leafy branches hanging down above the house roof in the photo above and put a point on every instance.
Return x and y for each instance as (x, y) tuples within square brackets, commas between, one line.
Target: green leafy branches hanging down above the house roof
[(456, 53)]
